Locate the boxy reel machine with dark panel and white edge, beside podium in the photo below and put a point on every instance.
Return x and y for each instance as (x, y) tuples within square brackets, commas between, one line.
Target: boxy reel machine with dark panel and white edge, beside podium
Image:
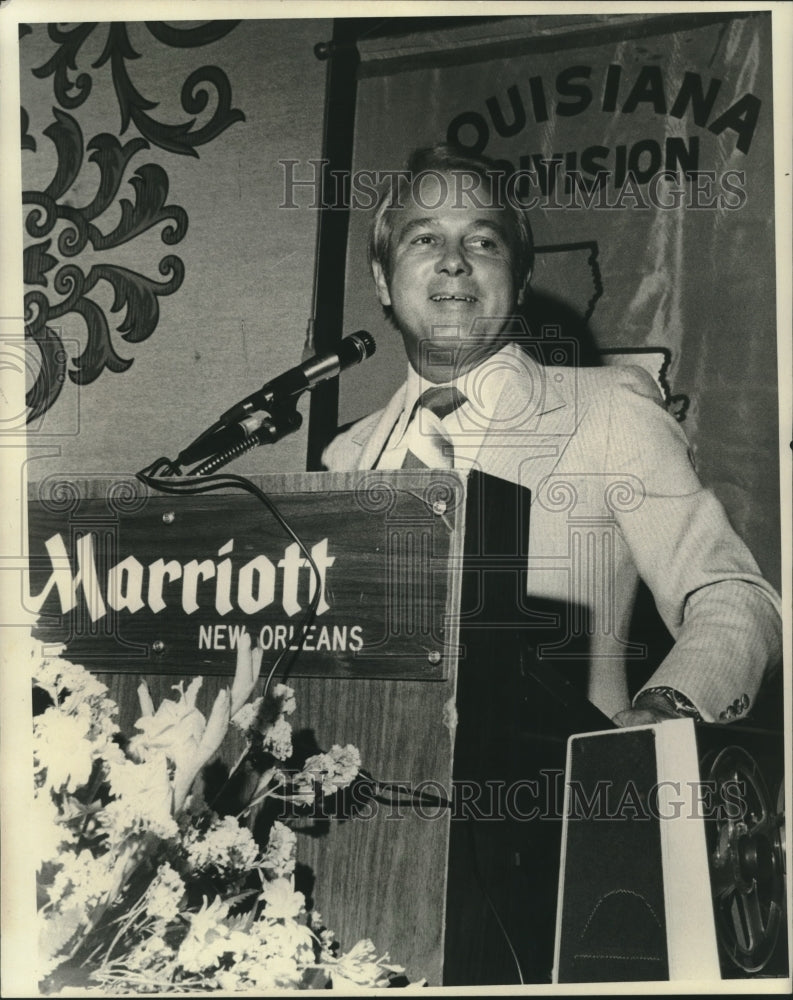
[(673, 857)]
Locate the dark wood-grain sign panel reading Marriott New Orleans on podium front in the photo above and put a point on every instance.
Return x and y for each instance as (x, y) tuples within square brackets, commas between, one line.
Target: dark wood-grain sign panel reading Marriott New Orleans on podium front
[(131, 581)]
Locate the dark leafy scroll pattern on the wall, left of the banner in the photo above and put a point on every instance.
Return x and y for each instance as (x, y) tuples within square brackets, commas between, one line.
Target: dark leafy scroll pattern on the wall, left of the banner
[(58, 277)]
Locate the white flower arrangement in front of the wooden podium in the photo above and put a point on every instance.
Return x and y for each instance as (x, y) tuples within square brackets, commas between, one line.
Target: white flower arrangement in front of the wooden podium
[(142, 886)]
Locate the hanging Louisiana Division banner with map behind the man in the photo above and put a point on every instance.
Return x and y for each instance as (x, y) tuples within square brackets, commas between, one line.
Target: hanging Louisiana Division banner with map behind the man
[(643, 150)]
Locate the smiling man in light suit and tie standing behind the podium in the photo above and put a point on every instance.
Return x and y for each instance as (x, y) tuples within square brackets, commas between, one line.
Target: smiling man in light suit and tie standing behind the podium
[(451, 255)]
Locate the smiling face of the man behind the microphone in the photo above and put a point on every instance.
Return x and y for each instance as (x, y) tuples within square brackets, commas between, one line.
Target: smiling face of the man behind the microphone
[(451, 286)]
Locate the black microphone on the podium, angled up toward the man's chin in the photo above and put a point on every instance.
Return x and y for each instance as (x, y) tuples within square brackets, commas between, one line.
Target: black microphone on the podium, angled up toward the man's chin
[(246, 417)]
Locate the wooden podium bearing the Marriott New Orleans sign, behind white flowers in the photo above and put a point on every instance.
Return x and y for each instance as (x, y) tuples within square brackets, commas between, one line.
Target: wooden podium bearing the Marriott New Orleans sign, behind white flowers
[(420, 654)]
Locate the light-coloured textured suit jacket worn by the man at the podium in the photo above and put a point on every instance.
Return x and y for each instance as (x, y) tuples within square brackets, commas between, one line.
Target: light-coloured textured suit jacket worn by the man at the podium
[(614, 497)]
